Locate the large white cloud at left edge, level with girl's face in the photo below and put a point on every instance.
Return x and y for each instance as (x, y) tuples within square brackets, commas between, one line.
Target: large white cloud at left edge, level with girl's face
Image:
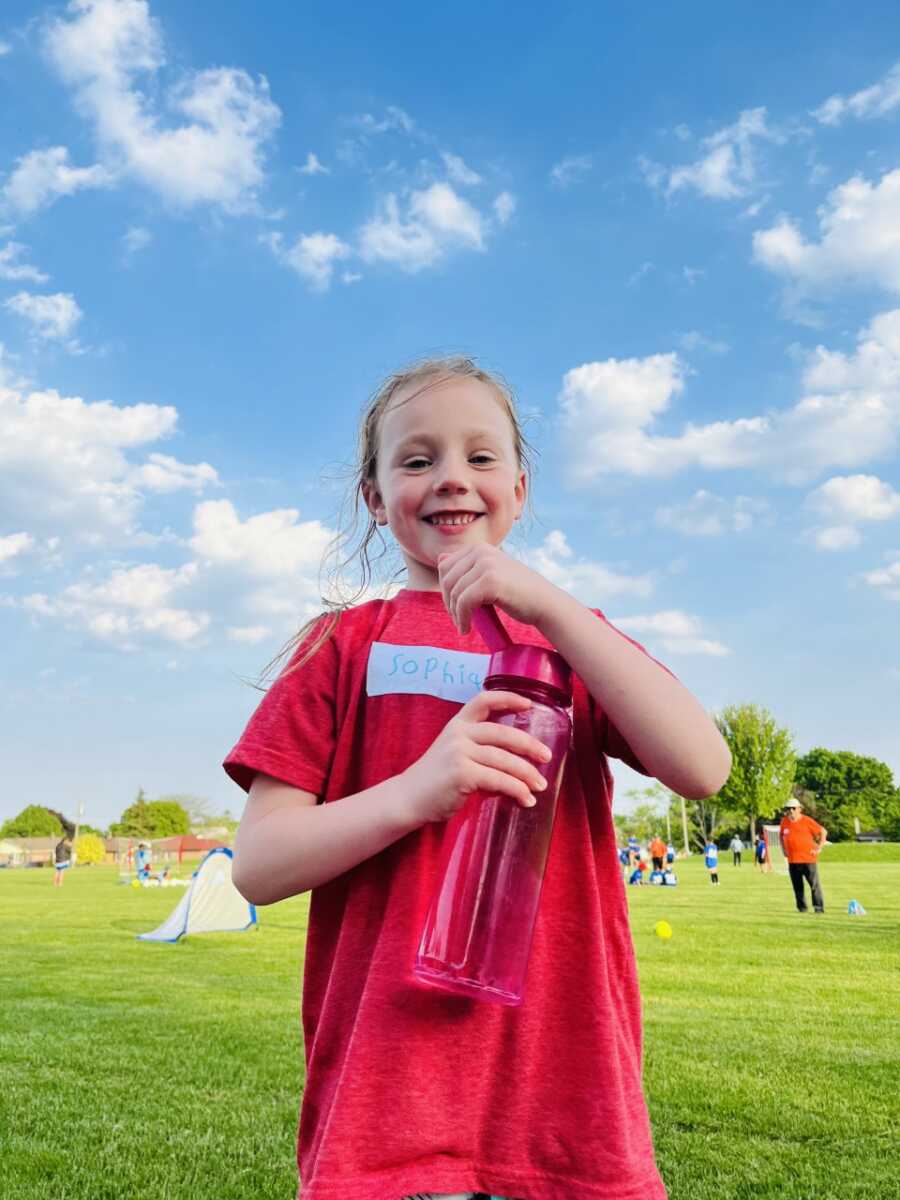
[(67, 464)]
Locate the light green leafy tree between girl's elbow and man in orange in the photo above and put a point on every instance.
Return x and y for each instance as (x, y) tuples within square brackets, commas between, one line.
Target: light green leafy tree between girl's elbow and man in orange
[(763, 763)]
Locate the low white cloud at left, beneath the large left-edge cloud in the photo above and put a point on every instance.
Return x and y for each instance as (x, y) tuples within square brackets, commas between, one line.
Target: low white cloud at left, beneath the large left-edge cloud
[(133, 607)]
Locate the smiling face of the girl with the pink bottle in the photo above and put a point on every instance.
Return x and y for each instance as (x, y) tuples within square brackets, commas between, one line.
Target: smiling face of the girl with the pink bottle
[(448, 476)]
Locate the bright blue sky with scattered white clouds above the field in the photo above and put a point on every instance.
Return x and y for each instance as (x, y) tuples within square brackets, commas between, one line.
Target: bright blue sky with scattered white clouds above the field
[(675, 231)]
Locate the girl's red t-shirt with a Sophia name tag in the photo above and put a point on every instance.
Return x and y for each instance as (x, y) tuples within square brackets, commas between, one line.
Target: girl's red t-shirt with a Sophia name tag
[(411, 1090)]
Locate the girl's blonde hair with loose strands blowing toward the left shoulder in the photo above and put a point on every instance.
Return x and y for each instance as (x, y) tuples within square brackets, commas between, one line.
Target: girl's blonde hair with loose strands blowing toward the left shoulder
[(352, 544)]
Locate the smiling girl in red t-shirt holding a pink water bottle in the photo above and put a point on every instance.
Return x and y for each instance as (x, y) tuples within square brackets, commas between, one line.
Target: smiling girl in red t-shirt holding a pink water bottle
[(358, 755)]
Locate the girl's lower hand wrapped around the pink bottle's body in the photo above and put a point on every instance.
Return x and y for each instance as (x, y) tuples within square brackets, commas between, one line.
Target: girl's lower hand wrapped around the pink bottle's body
[(473, 753)]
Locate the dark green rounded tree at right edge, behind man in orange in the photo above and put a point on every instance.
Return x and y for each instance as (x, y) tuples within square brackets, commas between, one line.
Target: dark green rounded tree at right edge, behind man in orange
[(844, 788)]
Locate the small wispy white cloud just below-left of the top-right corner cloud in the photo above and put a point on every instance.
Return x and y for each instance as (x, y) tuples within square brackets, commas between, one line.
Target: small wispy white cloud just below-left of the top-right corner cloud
[(729, 167)]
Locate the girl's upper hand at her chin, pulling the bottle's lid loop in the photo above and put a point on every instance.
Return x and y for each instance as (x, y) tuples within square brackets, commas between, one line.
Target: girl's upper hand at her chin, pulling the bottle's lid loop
[(487, 575)]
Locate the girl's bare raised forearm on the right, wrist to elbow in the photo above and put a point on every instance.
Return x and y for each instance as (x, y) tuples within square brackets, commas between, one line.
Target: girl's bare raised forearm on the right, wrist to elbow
[(663, 723)]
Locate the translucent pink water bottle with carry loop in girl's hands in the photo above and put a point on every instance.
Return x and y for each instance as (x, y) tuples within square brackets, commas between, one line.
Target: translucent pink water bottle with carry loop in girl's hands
[(479, 928)]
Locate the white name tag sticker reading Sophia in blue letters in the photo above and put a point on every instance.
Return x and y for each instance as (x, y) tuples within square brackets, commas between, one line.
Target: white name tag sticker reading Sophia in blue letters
[(425, 671)]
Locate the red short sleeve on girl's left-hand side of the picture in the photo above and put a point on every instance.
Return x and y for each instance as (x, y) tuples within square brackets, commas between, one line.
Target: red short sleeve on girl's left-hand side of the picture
[(293, 733)]
